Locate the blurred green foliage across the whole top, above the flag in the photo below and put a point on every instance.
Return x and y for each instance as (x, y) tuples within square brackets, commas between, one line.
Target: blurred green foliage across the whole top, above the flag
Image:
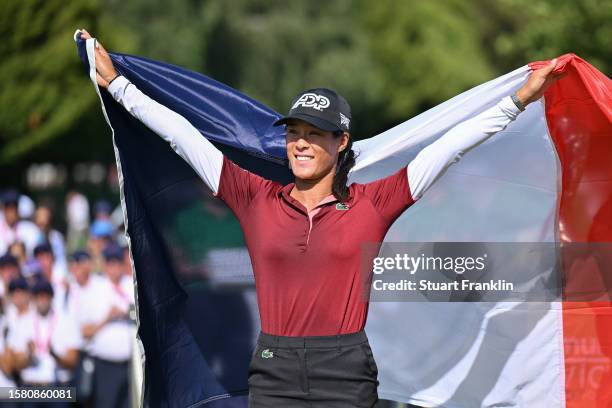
[(391, 59)]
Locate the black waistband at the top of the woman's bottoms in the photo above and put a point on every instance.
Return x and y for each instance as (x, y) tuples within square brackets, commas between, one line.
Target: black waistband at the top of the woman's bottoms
[(337, 340)]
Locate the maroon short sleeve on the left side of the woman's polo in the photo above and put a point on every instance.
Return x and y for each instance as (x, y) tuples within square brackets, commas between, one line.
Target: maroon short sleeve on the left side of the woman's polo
[(238, 186)]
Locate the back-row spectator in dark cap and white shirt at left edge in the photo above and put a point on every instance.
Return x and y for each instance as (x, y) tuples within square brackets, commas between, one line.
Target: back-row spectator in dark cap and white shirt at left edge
[(12, 228)]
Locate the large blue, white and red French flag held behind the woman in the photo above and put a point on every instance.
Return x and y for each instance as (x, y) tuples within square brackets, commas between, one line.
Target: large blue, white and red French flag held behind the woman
[(547, 177)]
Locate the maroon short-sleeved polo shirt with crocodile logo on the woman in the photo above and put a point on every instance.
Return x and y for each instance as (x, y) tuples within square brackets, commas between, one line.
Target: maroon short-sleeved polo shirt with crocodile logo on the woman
[(307, 266)]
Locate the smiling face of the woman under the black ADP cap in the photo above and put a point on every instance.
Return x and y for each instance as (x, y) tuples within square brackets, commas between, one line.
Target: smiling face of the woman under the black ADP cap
[(312, 152)]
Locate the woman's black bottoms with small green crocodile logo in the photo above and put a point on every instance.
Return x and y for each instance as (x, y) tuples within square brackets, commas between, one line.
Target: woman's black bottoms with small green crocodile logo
[(313, 371)]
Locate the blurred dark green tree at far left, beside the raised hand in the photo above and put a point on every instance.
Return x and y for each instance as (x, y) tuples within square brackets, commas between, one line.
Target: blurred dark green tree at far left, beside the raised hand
[(44, 91)]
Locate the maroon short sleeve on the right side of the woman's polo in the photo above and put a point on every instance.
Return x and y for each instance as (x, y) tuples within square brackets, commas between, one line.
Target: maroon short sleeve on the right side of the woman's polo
[(390, 195)]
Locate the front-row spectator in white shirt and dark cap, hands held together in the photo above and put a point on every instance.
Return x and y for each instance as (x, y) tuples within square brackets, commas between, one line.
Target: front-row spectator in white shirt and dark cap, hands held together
[(46, 343)]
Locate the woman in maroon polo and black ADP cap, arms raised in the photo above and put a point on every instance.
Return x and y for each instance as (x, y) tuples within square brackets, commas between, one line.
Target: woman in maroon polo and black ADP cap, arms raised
[(305, 238)]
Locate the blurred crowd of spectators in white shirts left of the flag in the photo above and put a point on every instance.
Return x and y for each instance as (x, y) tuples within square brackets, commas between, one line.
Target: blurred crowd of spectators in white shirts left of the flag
[(67, 300)]
